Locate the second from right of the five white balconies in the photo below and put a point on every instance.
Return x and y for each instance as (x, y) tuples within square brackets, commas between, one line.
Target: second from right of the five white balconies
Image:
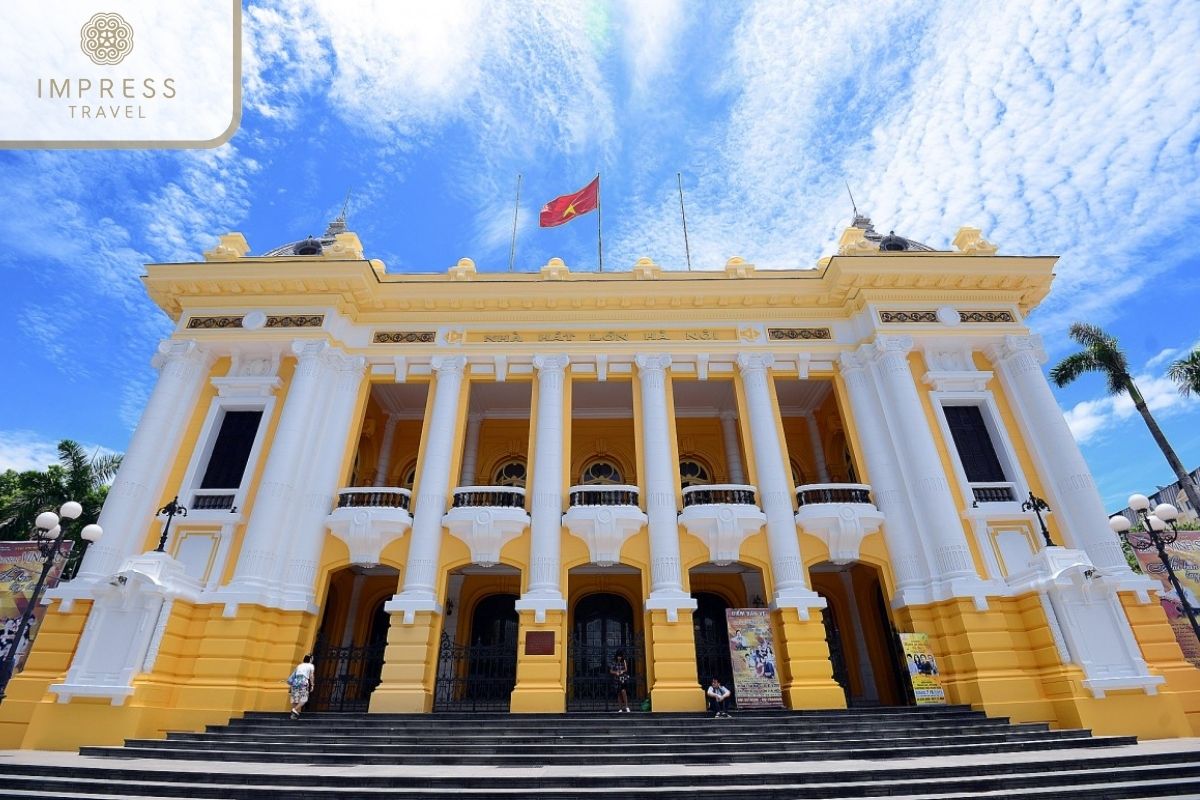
[(724, 516)]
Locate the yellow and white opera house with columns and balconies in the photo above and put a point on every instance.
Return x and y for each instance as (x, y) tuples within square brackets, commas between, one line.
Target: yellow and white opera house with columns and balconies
[(469, 491)]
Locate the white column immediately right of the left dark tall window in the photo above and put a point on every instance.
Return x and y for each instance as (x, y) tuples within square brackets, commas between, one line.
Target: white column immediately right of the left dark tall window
[(266, 539)]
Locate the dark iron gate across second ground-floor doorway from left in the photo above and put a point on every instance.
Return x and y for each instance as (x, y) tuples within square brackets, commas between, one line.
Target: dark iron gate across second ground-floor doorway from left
[(475, 677)]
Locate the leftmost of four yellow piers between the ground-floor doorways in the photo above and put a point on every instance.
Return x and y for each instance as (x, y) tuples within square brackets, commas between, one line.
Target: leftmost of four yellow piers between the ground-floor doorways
[(410, 666)]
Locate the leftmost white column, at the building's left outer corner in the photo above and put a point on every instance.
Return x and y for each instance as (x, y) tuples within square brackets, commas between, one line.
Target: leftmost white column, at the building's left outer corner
[(134, 498)]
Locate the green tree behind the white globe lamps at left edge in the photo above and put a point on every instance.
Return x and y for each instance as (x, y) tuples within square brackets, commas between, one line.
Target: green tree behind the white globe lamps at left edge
[(77, 477)]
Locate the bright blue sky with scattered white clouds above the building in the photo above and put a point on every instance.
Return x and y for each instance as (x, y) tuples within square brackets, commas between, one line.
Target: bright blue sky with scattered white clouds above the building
[(1058, 128)]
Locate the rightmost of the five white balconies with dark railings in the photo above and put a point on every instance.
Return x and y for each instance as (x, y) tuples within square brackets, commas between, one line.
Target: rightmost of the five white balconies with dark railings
[(841, 515)]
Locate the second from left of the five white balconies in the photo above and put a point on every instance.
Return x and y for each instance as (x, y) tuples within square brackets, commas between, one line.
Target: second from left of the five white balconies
[(487, 519)]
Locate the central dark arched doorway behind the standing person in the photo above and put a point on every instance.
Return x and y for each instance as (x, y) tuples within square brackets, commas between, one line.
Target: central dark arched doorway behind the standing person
[(603, 628)]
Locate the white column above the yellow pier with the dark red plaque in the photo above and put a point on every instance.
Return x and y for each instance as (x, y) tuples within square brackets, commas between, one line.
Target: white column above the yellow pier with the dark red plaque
[(547, 525)]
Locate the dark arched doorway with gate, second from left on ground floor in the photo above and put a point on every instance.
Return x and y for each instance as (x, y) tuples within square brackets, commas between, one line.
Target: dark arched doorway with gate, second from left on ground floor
[(481, 676)]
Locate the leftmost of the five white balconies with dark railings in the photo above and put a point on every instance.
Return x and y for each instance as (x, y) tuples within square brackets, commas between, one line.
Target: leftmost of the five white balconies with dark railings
[(369, 519)]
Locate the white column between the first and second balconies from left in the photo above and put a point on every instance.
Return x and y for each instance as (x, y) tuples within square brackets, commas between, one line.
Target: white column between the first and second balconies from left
[(421, 574)]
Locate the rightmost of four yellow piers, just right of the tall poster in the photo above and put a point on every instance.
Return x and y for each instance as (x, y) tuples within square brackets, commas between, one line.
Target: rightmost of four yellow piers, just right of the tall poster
[(803, 658)]
